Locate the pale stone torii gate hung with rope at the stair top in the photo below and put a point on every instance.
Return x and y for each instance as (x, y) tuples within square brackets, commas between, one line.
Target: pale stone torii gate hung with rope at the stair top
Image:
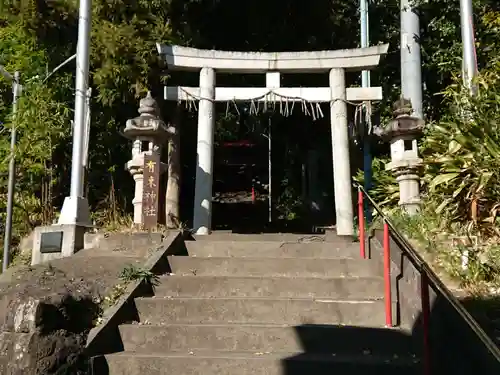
[(208, 62)]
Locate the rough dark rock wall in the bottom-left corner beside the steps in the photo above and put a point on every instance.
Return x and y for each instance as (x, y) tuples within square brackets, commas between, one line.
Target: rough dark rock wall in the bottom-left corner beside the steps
[(46, 336)]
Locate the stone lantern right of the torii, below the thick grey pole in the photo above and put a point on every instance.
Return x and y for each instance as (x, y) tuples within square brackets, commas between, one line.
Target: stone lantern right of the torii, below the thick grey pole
[(402, 132)]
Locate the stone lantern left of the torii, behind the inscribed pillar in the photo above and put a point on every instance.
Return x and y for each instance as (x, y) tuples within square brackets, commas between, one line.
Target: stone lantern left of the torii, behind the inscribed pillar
[(148, 133)]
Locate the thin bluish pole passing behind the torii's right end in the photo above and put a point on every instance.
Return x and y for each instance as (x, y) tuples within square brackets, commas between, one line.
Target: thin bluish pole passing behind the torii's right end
[(365, 82)]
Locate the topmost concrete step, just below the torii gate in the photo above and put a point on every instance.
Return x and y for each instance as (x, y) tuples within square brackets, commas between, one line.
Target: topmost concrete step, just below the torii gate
[(273, 249)]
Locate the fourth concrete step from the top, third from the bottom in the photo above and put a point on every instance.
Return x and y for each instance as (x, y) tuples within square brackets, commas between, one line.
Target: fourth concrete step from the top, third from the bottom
[(260, 311)]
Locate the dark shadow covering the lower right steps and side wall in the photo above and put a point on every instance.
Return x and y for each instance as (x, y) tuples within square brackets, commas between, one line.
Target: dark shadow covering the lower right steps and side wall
[(453, 347)]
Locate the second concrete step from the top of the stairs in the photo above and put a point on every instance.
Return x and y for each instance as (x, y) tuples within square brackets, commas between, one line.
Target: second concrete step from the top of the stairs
[(275, 267)]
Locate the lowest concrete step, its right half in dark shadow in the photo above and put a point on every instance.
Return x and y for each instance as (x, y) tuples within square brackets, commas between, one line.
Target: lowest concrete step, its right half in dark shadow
[(249, 364)]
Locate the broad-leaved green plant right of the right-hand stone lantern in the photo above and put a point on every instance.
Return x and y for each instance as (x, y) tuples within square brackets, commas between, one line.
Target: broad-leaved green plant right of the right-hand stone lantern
[(462, 155)]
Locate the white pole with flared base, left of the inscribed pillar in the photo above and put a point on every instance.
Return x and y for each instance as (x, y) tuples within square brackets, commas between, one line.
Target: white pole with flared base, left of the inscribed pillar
[(75, 208)]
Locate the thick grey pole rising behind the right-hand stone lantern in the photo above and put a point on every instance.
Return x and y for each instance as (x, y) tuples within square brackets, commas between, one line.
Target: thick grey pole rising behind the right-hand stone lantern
[(411, 68)]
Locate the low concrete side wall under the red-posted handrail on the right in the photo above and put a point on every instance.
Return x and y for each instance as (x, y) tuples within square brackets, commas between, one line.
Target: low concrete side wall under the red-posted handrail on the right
[(455, 346)]
